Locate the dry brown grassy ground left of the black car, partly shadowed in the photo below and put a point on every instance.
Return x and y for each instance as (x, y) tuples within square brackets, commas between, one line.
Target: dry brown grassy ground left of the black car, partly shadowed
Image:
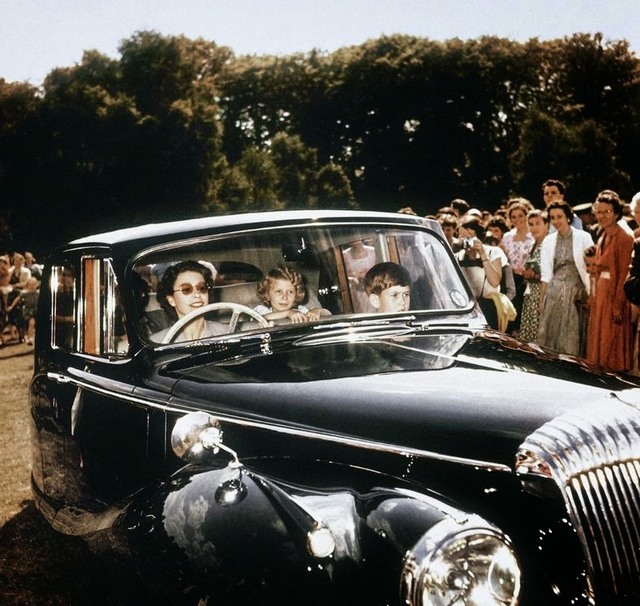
[(37, 565)]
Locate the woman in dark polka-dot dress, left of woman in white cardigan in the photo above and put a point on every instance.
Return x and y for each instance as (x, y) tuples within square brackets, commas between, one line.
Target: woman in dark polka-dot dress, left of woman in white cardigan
[(538, 222)]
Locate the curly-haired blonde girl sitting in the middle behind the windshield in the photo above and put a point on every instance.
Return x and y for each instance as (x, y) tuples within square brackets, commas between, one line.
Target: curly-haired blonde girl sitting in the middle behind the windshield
[(282, 291)]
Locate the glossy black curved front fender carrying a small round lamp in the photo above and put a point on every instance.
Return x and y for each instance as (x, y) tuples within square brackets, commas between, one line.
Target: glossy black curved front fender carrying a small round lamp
[(234, 533)]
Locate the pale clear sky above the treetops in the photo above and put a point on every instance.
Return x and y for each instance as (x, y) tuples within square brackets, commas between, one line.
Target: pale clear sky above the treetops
[(39, 35)]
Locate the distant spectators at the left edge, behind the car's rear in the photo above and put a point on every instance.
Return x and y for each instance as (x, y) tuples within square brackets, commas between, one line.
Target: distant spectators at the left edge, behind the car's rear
[(20, 277)]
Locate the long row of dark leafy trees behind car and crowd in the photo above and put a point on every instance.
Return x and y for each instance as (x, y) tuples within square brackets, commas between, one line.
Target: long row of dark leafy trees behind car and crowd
[(177, 128)]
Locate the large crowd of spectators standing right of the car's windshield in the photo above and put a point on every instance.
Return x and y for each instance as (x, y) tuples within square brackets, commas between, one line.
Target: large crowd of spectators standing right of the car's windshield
[(554, 276)]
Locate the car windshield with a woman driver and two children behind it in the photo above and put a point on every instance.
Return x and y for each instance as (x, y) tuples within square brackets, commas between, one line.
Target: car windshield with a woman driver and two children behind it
[(288, 275)]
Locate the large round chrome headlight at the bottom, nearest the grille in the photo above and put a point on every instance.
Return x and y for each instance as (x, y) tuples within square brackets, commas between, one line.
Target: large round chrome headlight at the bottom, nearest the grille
[(470, 563)]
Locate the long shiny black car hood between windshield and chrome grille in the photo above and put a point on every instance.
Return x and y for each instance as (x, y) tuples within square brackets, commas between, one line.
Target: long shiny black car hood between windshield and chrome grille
[(461, 395)]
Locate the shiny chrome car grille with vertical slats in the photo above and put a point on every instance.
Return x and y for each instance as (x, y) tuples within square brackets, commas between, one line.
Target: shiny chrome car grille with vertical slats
[(593, 455)]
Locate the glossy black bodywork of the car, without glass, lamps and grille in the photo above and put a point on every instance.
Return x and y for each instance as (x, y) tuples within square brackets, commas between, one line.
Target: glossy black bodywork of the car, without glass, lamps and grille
[(342, 427)]
